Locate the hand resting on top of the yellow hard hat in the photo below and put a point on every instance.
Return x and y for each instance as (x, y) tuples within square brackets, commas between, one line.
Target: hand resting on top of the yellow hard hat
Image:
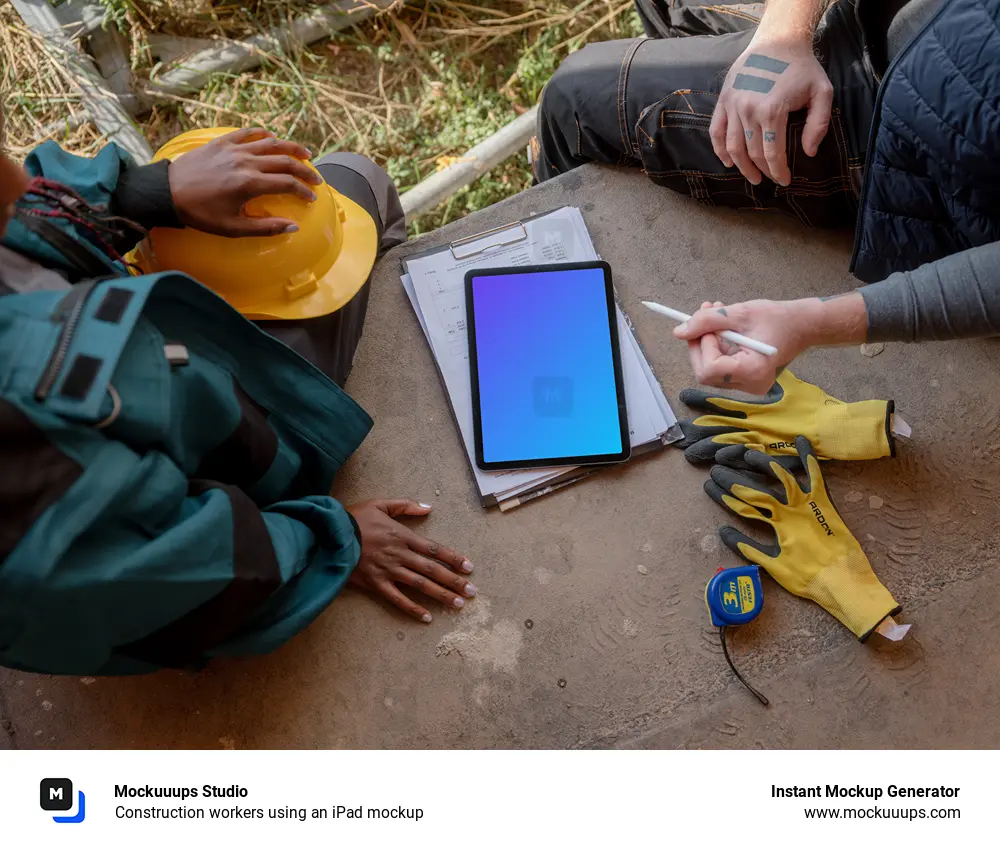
[(211, 184)]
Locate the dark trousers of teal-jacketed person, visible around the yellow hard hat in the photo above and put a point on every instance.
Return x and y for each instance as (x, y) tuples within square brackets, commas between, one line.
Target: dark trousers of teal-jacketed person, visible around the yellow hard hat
[(330, 342)]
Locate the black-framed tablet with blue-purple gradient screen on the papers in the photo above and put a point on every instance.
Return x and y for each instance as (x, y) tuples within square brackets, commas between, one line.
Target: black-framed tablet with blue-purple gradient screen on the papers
[(546, 369)]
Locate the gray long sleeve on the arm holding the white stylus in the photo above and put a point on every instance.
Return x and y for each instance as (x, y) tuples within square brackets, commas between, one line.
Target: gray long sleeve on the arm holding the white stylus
[(956, 297)]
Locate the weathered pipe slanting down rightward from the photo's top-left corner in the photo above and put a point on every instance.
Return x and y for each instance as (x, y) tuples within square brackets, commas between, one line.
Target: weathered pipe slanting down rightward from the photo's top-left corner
[(104, 107)]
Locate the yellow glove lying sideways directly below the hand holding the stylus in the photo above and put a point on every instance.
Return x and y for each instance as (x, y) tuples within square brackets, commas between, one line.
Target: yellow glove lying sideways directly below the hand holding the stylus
[(860, 430)]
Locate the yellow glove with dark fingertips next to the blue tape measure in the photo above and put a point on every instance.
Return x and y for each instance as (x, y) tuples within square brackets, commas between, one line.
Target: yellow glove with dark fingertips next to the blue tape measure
[(815, 556)]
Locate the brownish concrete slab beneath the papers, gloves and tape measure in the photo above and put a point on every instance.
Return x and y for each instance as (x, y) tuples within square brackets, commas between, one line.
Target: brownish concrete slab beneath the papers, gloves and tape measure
[(614, 656)]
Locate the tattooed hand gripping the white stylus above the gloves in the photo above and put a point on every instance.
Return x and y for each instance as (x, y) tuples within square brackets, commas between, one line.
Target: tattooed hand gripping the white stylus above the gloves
[(719, 363)]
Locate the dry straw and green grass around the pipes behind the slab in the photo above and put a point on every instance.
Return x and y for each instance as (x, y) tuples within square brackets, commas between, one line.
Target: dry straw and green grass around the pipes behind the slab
[(412, 88)]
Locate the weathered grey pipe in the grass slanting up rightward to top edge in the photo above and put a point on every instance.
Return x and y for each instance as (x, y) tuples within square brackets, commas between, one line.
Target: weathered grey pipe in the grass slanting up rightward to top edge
[(192, 73)]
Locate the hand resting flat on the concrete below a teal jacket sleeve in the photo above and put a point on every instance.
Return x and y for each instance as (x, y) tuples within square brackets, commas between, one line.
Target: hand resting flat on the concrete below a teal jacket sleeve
[(392, 554)]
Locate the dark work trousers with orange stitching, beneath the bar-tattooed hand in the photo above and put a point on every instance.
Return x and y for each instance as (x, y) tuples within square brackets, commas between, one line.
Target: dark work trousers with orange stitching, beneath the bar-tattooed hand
[(648, 103)]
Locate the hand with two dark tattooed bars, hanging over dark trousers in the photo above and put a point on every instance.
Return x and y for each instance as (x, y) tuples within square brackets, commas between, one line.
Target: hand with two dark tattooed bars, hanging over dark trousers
[(770, 79)]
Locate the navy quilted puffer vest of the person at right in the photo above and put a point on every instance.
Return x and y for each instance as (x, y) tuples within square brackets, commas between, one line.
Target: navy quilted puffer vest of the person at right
[(932, 181)]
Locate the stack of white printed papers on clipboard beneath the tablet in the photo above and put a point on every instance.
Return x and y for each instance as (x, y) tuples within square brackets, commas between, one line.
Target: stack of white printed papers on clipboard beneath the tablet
[(435, 284)]
